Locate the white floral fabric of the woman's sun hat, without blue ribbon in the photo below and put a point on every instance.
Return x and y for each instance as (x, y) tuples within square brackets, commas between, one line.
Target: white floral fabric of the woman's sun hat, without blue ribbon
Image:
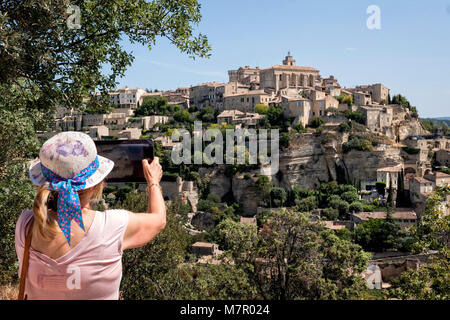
[(67, 154)]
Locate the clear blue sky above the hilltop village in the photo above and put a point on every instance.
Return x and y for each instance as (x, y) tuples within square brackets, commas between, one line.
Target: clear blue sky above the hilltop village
[(410, 54)]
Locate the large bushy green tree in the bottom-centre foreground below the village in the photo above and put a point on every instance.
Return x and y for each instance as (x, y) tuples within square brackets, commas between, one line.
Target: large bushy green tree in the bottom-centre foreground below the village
[(291, 257)]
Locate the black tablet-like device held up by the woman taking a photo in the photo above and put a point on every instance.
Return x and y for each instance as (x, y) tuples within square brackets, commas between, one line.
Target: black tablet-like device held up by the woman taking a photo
[(127, 156)]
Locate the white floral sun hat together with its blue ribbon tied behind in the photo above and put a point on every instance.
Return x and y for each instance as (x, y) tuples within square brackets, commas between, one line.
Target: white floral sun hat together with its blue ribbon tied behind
[(69, 162)]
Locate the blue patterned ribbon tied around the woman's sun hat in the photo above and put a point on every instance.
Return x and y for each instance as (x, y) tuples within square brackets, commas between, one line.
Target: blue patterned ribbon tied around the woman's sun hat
[(69, 206)]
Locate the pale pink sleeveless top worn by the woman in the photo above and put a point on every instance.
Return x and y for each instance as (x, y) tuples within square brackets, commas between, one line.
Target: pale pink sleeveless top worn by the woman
[(90, 270)]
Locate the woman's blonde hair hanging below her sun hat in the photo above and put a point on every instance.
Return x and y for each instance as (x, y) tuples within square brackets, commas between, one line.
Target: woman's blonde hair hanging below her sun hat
[(45, 223)]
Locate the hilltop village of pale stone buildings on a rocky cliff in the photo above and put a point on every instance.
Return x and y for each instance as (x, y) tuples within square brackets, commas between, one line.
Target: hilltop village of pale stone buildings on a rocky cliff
[(365, 150)]
